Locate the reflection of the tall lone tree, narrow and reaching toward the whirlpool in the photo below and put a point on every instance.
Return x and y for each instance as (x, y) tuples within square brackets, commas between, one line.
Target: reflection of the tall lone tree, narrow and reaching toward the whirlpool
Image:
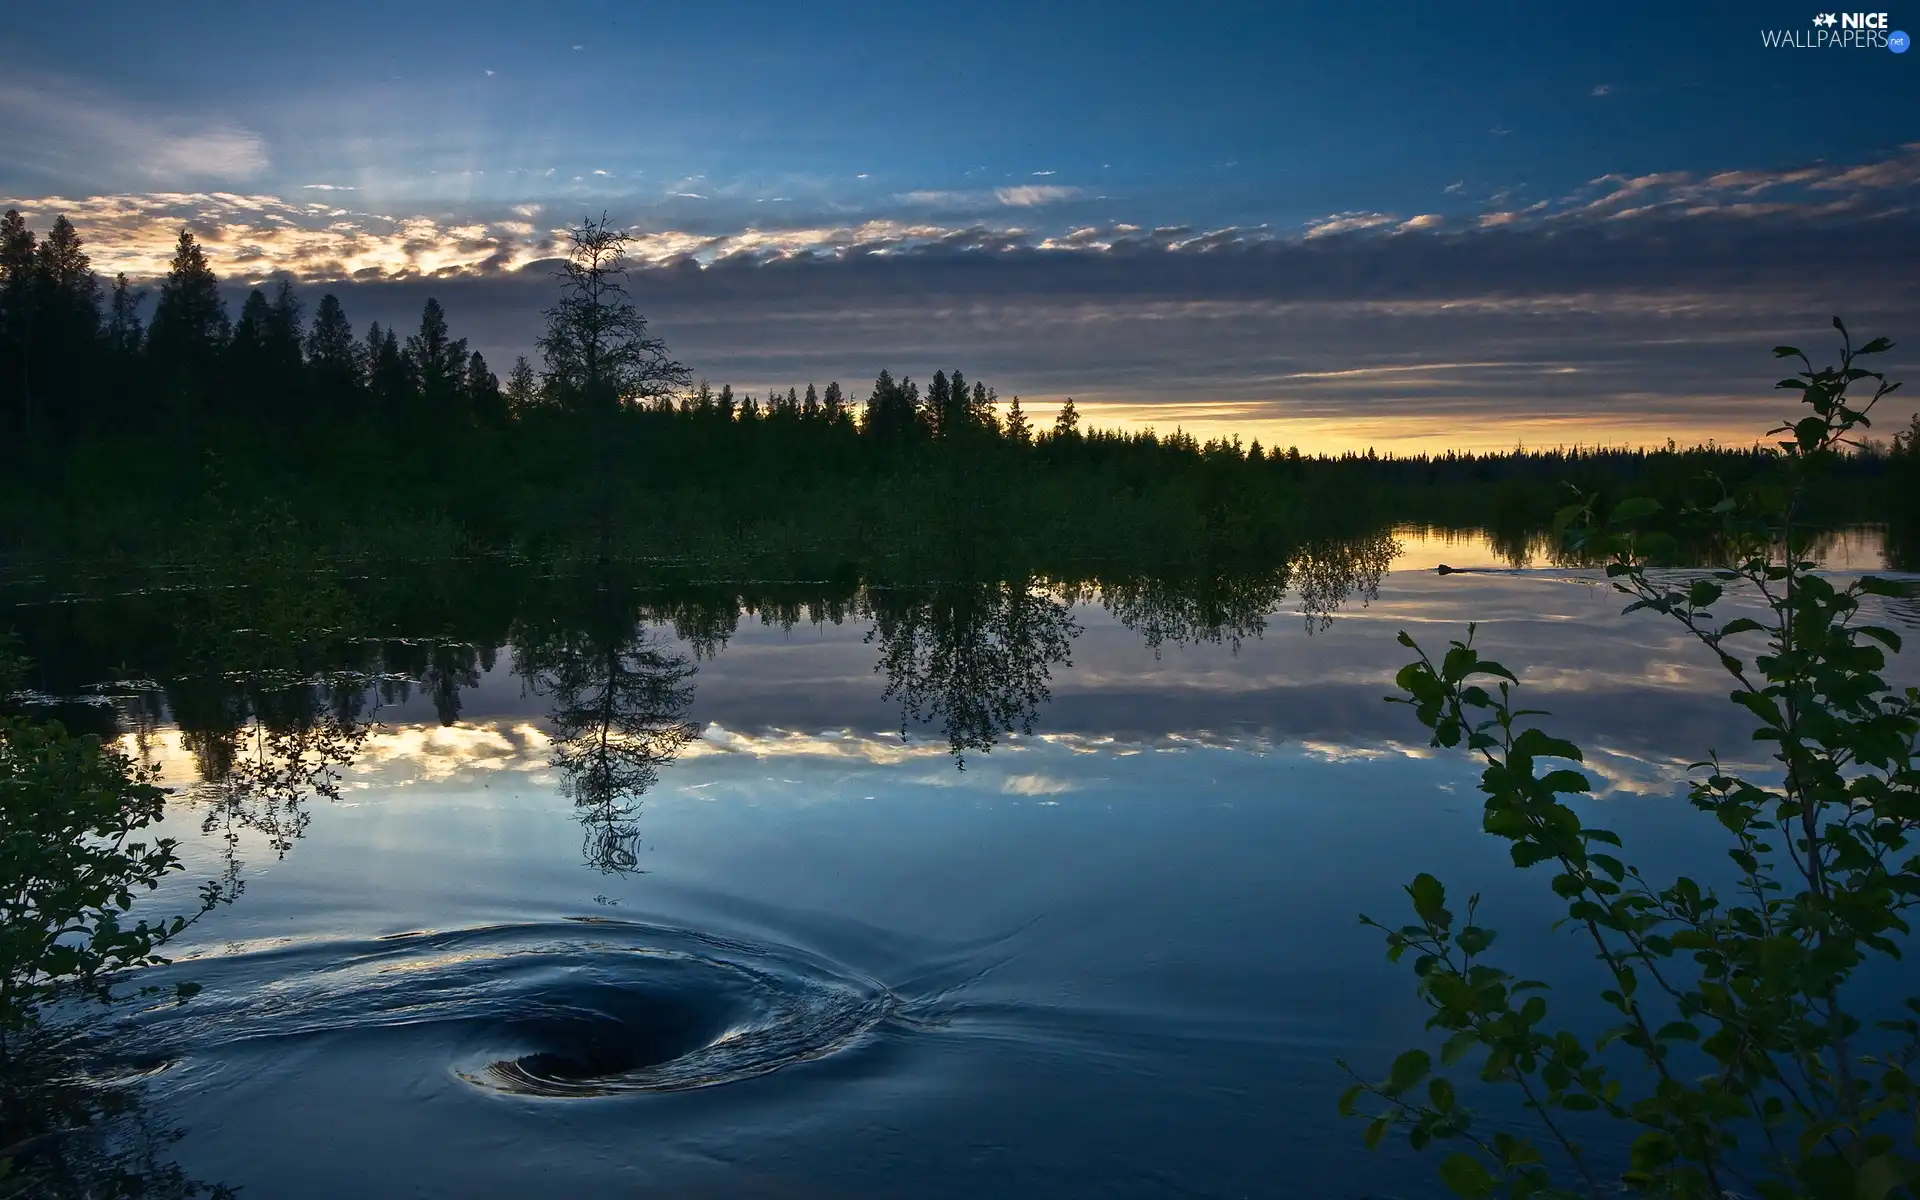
[(621, 696)]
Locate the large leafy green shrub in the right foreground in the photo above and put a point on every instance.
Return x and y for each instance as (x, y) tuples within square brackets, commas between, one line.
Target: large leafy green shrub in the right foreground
[(1746, 1053)]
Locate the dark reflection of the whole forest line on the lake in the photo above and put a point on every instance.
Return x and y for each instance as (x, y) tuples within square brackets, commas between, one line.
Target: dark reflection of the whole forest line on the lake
[(277, 673)]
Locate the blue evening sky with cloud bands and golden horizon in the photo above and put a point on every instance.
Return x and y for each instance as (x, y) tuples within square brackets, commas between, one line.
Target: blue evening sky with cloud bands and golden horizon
[(1410, 226)]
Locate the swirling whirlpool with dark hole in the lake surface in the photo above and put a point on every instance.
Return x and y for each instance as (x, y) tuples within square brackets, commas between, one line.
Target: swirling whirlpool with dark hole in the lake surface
[(567, 1009)]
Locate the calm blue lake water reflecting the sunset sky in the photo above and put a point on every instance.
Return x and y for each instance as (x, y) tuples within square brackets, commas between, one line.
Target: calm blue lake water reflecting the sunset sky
[(640, 909)]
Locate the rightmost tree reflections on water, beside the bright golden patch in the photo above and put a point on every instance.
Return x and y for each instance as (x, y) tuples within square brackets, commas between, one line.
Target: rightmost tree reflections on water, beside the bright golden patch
[(1230, 608)]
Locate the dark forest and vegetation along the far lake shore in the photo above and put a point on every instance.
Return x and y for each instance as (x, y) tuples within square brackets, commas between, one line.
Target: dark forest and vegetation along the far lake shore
[(398, 446)]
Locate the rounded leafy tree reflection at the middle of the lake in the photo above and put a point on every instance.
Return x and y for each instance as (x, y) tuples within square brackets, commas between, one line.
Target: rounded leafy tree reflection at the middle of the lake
[(974, 658)]
